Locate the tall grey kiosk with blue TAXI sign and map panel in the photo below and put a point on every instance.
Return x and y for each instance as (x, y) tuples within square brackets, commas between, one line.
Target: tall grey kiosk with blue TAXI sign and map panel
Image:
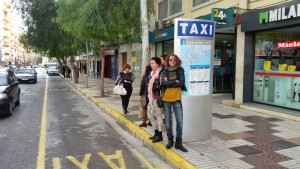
[(194, 44)]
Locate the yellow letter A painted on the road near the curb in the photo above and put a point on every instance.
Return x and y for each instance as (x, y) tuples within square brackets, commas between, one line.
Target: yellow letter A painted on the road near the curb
[(108, 159)]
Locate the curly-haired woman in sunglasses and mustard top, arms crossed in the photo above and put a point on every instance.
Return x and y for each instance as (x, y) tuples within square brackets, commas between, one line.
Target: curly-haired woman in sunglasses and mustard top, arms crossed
[(173, 84)]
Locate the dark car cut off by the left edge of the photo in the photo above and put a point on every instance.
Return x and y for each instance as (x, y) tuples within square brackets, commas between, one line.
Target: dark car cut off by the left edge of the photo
[(9, 92)]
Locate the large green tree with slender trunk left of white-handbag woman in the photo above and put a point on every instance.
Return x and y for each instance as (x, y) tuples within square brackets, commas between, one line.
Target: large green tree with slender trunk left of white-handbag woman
[(107, 23)]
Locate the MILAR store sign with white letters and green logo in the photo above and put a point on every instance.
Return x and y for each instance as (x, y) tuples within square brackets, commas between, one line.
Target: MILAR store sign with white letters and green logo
[(279, 14)]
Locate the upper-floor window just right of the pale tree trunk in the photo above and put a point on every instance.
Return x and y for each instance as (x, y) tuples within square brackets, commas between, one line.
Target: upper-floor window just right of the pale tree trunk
[(168, 8)]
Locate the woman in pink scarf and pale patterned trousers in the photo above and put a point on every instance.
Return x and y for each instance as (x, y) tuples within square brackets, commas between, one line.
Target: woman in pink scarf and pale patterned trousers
[(154, 89)]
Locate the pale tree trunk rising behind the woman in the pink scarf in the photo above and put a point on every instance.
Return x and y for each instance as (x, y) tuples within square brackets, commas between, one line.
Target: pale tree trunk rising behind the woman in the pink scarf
[(145, 36)]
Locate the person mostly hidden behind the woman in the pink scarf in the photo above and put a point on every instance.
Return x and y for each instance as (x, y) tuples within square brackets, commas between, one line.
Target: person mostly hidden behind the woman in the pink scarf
[(144, 93)]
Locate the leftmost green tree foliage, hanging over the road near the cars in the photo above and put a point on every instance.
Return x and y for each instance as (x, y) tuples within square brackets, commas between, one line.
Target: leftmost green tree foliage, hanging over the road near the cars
[(43, 35)]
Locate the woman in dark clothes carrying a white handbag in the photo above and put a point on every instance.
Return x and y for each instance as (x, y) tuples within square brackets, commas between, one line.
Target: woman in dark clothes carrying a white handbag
[(126, 77)]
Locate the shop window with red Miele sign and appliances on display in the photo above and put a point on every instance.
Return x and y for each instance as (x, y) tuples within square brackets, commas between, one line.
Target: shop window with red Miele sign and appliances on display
[(277, 68)]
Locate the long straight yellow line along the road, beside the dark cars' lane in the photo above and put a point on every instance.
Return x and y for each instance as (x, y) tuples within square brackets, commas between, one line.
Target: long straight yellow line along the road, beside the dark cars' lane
[(40, 164)]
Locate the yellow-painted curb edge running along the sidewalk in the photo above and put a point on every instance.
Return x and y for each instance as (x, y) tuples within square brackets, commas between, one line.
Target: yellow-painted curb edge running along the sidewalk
[(169, 155)]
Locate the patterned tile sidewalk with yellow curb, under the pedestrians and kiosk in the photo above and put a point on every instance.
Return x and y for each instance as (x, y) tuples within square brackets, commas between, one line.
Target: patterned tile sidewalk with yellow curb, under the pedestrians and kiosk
[(241, 138)]
